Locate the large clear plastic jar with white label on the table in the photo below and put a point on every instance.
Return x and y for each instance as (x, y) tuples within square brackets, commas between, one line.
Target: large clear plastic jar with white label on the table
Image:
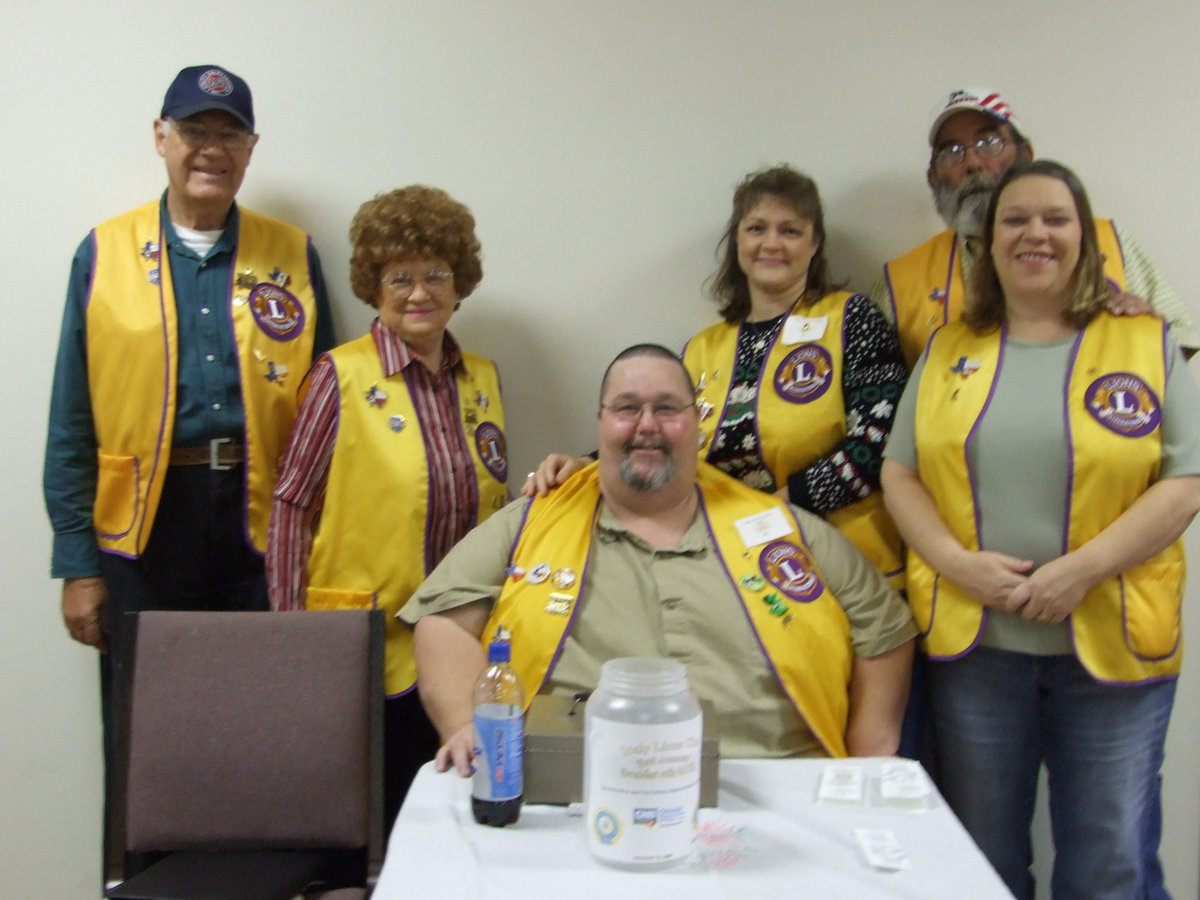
[(641, 764)]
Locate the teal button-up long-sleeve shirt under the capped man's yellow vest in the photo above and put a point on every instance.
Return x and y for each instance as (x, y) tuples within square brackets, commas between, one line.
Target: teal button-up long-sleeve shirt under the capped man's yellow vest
[(208, 393)]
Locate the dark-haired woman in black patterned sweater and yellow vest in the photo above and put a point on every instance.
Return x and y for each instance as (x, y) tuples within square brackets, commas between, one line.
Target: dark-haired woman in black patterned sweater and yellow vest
[(797, 387)]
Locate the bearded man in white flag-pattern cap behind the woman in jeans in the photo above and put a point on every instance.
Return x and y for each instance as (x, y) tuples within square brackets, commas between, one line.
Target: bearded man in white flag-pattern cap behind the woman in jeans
[(975, 140)]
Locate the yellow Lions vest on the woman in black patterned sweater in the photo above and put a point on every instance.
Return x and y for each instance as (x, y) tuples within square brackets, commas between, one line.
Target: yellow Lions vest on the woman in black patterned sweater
[(801, 415)]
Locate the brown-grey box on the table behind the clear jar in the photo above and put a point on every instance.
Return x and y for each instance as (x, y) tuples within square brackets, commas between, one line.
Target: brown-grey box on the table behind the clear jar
[(554, 752)]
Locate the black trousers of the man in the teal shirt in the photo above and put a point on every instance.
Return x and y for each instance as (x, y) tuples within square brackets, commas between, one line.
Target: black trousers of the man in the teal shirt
[(197, 560)]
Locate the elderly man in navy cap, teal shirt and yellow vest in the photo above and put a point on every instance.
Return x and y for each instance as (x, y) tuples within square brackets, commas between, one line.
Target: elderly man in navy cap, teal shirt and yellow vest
[(189, 323)]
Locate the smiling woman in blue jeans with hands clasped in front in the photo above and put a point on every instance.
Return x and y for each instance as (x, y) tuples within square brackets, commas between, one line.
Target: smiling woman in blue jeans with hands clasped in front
[(1043, 466)]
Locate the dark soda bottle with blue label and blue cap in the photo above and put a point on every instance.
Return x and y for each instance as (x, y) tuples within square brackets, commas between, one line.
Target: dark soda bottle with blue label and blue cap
[(497, 788)]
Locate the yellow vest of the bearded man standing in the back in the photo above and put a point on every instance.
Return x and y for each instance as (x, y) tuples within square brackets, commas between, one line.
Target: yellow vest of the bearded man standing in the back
[(926, 285)]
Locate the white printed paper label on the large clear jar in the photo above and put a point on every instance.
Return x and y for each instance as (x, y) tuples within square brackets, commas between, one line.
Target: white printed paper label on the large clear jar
[(644, 790)]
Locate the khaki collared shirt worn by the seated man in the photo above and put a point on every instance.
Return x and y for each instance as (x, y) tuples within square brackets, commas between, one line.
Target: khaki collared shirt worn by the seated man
[(679, 603)]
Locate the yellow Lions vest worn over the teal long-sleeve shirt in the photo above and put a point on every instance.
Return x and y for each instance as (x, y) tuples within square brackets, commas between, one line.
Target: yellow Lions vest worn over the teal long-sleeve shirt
[(133, 364)]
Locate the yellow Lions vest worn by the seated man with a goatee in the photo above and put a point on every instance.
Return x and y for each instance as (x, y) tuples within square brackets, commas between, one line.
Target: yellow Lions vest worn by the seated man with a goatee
[(800, 625)]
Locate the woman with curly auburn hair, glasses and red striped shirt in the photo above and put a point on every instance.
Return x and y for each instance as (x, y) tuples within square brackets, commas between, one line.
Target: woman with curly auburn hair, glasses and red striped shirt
[(398, 451)]
